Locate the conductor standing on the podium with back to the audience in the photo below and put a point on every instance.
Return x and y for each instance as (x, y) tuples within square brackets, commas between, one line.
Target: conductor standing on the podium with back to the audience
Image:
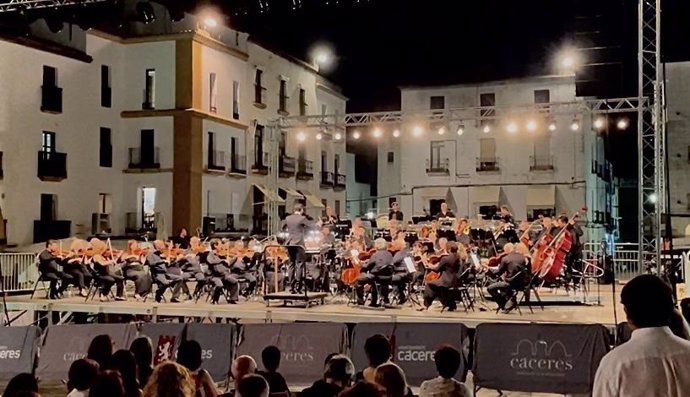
[(296, 226)]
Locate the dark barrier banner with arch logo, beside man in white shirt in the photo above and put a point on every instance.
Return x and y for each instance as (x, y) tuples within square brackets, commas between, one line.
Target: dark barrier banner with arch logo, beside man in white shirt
[(538, 358)]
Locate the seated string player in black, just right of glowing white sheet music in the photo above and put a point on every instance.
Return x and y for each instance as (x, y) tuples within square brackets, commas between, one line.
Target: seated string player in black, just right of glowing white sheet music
[(448, 266)]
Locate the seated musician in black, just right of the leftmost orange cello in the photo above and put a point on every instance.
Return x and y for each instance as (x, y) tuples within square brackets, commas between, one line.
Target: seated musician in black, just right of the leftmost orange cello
[(378, 268)]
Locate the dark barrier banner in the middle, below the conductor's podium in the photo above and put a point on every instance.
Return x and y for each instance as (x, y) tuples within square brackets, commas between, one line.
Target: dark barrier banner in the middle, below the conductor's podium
[(304, 346)]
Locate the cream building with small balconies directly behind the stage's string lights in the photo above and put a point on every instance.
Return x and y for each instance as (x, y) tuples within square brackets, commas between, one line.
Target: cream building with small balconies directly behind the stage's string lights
[(516, 161)]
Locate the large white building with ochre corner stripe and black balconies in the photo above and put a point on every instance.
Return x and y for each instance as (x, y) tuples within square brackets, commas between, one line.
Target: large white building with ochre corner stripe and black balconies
[(160, 124)]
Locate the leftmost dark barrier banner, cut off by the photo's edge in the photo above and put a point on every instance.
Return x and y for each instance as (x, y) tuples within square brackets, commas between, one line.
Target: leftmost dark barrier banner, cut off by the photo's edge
[(18, 350)]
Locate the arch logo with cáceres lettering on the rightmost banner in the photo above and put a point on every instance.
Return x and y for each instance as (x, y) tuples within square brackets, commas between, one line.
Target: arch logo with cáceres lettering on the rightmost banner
[(542, 358)]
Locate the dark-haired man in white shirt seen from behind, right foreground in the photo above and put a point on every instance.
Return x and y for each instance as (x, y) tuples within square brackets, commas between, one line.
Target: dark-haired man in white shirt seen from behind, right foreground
[(653, 362)]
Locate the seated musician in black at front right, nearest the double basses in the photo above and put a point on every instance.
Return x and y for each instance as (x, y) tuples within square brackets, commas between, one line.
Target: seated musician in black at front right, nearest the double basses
[(515, 274)]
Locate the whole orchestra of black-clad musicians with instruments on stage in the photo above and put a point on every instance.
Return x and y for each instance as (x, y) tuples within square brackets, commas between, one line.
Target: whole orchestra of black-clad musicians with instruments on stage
[(429, 258)]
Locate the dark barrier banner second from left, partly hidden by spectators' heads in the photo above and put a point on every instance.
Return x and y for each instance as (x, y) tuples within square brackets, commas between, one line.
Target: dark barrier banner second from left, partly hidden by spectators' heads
[(64, 344)]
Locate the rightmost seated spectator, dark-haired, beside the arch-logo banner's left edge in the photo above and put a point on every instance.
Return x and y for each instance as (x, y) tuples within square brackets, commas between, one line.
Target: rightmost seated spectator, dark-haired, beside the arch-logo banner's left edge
[(448, 360)]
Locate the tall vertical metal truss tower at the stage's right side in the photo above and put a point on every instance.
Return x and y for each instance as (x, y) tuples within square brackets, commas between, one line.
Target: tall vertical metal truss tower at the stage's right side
[(651, 134)]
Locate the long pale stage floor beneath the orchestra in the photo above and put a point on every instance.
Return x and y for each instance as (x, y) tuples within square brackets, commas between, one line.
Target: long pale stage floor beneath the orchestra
[(335, 309)]
